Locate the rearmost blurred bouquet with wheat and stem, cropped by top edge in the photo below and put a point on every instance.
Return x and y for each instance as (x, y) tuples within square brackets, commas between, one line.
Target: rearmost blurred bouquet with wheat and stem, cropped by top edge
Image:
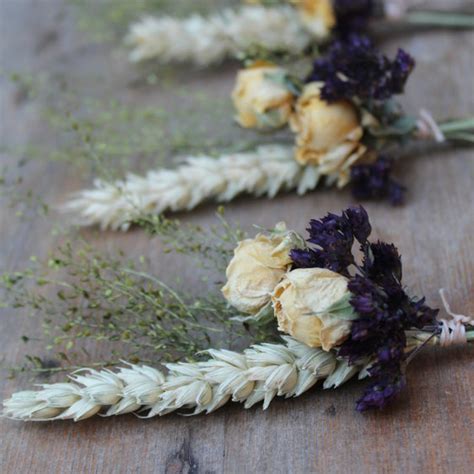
[(288, 26)]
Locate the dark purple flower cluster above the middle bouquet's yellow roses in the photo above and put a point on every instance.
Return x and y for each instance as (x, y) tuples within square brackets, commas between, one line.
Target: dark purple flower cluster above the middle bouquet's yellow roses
[(354, 68)]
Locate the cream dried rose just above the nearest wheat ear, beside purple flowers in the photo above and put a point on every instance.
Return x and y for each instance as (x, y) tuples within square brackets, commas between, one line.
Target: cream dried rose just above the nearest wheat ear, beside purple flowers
[(302, 303)]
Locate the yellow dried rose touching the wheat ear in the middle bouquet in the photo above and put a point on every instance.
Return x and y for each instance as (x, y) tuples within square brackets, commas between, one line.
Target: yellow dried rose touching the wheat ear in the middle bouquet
[(328, 134)]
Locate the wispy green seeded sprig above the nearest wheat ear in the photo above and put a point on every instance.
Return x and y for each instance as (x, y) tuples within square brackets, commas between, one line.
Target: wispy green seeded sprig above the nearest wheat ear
[(80, 294)]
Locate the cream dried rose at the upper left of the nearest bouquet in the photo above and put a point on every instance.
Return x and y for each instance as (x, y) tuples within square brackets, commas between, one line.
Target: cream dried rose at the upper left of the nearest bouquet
[(256, 269)]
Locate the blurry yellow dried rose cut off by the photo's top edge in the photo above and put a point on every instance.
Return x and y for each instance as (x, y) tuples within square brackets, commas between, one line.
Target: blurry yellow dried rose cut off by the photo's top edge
[(317, 16)]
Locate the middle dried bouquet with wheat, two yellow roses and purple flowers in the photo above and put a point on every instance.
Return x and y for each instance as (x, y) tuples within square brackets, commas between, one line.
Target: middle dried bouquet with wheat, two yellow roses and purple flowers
[(344, 120)]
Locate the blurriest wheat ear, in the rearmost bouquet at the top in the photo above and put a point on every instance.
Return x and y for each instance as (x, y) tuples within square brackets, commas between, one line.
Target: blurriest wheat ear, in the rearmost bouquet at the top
[(208, 40)]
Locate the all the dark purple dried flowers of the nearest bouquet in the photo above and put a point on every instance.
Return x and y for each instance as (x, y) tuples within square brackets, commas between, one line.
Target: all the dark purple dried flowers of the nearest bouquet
[(385, 310)]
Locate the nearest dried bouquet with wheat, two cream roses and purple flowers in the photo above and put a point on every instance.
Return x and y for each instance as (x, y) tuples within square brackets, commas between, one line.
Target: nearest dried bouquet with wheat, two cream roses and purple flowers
[(341, 317)]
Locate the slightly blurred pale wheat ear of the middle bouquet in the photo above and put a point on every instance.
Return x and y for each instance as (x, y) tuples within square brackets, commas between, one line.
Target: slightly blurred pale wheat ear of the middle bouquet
[(265, 171)]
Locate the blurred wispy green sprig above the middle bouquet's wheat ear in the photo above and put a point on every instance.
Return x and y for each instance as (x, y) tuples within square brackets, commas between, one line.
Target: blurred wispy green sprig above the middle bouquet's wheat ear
[(109, 137)]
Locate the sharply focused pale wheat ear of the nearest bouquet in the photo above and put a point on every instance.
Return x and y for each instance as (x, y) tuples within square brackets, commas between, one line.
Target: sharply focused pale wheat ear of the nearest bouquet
[(258, 374)]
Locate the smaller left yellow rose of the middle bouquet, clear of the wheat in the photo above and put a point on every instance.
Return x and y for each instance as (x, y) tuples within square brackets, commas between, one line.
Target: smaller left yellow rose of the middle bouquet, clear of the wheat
[(260, 101)]
